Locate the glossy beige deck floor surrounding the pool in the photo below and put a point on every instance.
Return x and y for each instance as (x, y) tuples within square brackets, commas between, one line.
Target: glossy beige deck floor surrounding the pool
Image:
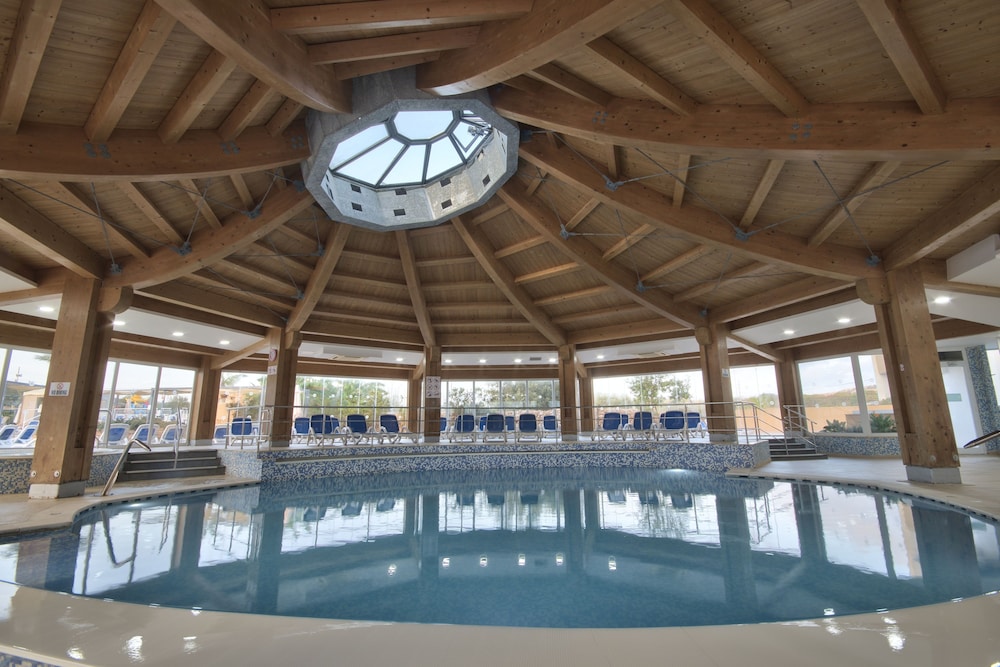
[(98, 632)]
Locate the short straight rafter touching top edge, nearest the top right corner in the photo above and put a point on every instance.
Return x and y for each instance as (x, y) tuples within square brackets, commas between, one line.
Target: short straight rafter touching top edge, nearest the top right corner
[(888, 20)]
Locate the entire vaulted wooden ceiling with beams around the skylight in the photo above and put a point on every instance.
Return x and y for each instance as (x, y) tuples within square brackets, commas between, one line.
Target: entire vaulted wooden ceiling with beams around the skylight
[(684, 162)]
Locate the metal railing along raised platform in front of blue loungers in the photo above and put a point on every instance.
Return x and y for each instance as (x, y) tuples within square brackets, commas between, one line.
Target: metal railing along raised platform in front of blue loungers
[(738, 422)]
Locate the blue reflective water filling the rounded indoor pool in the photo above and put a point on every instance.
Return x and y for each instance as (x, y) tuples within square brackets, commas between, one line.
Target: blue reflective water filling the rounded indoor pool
[(577, 547)]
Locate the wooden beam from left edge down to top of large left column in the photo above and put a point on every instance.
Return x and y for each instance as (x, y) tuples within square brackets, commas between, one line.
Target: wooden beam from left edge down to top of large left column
[(27, 226)]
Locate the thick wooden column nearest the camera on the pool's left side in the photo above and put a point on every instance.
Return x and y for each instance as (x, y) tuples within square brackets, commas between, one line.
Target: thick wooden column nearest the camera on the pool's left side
[(65, 442)]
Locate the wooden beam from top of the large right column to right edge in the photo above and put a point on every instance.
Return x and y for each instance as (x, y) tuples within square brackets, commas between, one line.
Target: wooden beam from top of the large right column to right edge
[(971, 210)]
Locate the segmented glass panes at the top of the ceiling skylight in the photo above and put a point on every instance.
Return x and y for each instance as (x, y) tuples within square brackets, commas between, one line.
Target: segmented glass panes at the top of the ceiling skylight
[(411, 148)]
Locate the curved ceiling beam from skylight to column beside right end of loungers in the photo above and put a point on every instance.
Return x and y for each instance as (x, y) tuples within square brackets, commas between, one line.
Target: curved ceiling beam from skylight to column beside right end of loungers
[(582, 251)]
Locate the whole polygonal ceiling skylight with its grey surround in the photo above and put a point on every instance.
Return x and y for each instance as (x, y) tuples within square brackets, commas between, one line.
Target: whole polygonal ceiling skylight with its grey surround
[(409, 162)]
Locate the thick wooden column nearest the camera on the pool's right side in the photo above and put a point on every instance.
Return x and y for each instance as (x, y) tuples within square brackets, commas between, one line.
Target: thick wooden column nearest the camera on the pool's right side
[(920, 405)]
